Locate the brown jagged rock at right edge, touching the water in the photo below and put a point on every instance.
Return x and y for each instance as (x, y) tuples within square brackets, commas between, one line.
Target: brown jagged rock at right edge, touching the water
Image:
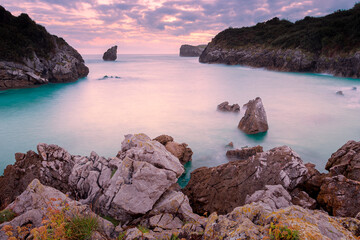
[(346, 161)]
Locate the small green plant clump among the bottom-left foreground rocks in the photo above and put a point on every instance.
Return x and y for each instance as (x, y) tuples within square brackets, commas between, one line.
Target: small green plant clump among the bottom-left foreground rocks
[(81, 227)]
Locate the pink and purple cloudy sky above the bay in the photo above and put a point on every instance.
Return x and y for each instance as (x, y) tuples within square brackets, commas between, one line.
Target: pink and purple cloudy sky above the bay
[(158, 26)]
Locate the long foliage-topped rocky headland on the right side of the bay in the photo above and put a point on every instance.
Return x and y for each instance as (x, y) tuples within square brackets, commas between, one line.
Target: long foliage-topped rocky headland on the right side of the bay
[(329, 44)]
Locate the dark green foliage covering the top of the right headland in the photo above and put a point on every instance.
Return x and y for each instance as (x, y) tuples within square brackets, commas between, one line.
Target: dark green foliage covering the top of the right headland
[(334, 33)]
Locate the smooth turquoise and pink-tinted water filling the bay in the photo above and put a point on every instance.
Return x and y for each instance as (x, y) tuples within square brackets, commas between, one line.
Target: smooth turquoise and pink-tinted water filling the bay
[(167, 94)]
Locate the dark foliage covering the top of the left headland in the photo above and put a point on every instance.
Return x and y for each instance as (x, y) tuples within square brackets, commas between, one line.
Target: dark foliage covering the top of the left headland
[(20, 37)]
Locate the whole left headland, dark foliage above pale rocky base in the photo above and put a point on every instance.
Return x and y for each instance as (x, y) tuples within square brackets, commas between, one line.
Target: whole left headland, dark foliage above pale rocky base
[(31, 56)]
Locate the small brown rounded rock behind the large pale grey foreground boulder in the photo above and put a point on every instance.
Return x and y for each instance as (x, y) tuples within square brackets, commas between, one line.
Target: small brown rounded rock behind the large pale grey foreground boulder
[(181, 151)]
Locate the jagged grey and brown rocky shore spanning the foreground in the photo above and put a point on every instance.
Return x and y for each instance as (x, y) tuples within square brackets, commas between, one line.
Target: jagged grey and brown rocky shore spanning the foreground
[(137, 190)]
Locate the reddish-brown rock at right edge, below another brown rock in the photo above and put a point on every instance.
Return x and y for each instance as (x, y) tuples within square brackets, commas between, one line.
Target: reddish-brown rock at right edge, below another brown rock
[(340, 196)]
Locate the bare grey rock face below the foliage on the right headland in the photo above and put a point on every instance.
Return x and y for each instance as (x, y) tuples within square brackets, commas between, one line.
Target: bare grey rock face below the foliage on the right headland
[(286, 60)]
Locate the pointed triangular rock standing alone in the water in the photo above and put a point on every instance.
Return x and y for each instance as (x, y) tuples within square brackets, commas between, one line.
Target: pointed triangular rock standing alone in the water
[(254, 120)]
